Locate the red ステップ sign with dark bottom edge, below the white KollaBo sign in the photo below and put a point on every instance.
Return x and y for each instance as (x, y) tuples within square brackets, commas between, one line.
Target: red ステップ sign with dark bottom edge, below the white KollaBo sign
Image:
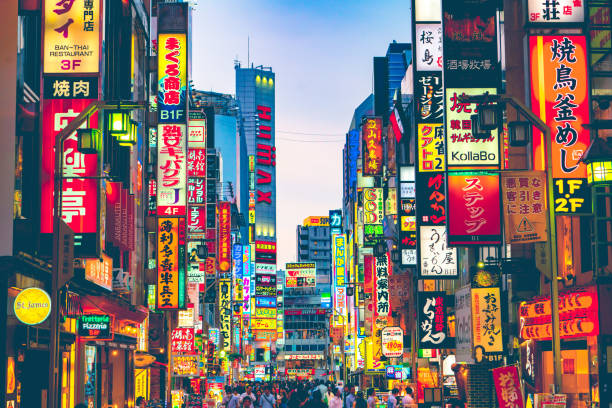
[(473, 209)]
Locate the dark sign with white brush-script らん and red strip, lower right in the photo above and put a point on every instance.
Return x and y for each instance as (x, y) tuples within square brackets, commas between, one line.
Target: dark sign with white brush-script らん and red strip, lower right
[(432, 320)]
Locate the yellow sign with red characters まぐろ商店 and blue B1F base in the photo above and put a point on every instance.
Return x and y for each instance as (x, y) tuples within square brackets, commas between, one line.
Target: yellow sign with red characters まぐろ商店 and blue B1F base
[(172, 72)]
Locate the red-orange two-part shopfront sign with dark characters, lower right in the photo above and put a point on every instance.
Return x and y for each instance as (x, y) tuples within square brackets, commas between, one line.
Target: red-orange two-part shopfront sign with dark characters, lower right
[(578, 315)]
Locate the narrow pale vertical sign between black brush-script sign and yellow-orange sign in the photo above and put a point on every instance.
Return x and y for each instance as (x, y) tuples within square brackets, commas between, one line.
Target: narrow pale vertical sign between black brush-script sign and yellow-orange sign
[(463, 325)]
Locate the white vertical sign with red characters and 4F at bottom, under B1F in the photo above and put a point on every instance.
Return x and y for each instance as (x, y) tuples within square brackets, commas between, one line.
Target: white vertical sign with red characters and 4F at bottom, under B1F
[(171, 170)]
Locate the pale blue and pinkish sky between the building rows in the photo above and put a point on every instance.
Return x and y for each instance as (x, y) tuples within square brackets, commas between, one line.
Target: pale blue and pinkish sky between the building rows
[(321, 52)]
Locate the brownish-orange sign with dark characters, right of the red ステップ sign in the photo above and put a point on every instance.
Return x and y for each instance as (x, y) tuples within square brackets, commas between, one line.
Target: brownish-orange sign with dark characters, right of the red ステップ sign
[(524, 203)]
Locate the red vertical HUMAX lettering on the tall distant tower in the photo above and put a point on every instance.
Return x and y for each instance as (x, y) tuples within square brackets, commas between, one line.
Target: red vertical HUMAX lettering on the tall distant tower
[(266, 155)]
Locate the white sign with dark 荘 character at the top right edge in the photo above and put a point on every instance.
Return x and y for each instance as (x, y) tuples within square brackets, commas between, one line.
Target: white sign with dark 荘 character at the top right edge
[(555, 12)]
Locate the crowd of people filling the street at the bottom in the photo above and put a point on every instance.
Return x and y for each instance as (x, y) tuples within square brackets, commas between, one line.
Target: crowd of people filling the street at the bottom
[(314, 394)]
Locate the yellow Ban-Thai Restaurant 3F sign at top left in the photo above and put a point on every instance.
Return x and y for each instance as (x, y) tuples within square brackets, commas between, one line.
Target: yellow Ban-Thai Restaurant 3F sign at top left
[(72, 37)]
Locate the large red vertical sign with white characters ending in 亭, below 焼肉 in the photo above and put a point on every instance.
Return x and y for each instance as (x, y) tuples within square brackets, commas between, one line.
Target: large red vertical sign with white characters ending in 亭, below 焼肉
[(79, 195)]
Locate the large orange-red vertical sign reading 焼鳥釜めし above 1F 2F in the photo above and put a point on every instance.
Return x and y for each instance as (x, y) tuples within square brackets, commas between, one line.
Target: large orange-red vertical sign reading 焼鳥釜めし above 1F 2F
[(559, 96)]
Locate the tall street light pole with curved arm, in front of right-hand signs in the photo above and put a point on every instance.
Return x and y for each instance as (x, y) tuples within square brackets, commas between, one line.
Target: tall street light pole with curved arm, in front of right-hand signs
[(552, 223)]
